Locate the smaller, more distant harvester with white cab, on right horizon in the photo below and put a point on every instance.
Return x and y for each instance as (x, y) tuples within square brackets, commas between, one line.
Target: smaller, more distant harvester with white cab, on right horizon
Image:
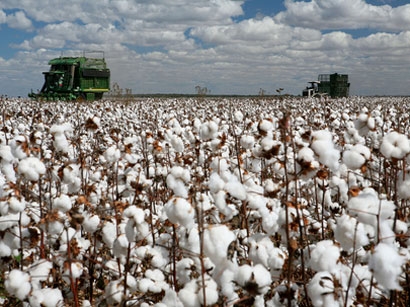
[(333, 85)]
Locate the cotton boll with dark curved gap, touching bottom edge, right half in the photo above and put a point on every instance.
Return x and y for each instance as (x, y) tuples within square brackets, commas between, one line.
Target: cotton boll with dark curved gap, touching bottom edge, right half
[(321, 290)]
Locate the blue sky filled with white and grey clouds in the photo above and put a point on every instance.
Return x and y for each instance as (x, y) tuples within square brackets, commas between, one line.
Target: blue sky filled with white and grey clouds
[(227, 46)]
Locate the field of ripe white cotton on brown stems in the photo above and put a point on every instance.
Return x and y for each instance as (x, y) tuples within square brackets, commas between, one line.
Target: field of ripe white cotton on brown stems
[(205, 202)]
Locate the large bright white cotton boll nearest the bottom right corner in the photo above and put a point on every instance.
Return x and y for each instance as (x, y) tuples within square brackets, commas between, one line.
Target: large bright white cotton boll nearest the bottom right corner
[(386, 262)]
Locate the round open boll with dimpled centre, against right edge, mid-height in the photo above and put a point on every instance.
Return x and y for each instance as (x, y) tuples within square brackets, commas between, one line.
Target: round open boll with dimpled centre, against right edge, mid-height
[(395, 145)]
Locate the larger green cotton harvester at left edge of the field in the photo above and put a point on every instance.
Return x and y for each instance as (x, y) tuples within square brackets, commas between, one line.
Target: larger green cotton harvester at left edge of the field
[(75, 78)]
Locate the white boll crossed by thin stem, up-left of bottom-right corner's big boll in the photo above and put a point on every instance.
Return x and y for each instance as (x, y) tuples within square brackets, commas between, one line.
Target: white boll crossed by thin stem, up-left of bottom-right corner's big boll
[(350, 234)]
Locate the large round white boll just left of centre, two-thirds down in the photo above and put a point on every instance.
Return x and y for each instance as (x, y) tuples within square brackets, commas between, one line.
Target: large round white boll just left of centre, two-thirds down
[(180, 211)]
